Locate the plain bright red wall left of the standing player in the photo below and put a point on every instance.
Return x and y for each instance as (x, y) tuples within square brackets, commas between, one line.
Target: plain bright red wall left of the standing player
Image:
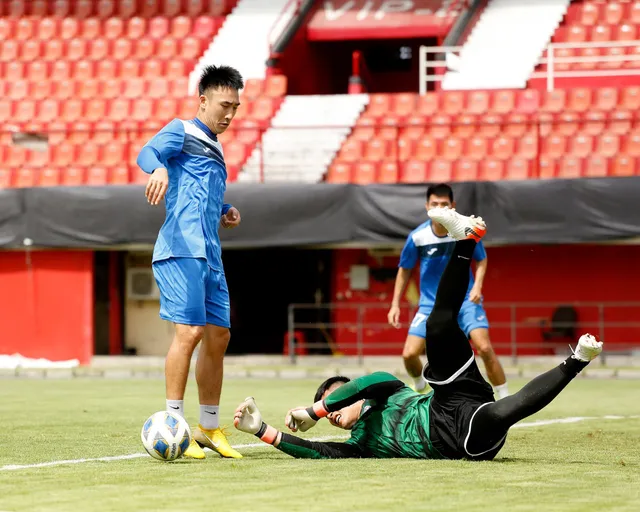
[(46, 304)]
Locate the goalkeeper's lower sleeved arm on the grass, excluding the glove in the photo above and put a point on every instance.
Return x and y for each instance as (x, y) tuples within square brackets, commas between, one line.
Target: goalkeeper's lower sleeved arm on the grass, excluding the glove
[(303, 449)]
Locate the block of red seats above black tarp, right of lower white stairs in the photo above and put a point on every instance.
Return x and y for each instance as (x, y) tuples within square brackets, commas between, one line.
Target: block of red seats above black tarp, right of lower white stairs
[(493, 135)]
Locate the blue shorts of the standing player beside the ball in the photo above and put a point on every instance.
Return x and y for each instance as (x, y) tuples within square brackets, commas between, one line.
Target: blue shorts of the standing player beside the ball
[(191, 293)]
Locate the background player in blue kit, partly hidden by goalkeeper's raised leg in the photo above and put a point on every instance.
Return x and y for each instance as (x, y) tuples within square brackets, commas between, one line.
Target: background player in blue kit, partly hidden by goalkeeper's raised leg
[(430, 245)]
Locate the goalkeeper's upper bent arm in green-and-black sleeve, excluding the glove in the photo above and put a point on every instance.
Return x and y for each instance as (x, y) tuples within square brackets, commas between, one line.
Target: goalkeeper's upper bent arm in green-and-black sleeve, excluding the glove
[(377, 386)]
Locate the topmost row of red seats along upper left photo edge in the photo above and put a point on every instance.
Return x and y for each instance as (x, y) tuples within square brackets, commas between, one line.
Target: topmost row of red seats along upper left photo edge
[(83, 9)]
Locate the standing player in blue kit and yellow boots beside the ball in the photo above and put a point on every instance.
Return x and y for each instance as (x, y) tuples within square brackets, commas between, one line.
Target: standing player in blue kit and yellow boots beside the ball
[(186, 163)]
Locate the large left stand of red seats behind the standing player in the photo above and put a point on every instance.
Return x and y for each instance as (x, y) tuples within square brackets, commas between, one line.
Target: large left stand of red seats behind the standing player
[(99, 78)]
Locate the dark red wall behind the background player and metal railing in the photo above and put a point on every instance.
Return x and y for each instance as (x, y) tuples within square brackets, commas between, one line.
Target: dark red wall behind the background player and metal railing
[(550, 274)]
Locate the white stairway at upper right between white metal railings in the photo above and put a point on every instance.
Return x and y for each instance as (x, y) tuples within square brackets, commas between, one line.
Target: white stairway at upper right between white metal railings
[(505, 45)]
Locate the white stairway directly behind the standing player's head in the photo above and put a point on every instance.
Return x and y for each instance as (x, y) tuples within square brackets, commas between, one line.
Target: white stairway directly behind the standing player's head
[(231, 45)]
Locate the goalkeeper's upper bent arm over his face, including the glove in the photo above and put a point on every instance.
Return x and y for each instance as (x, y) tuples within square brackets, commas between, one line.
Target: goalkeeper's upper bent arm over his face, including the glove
[(377, 386)]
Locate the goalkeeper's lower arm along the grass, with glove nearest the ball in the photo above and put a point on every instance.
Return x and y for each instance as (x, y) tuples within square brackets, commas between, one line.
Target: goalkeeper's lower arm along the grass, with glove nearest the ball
[(248, 419)]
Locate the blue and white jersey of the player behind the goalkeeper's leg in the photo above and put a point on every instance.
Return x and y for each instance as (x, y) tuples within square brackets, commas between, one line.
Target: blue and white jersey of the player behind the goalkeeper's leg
[(433, 252)]
